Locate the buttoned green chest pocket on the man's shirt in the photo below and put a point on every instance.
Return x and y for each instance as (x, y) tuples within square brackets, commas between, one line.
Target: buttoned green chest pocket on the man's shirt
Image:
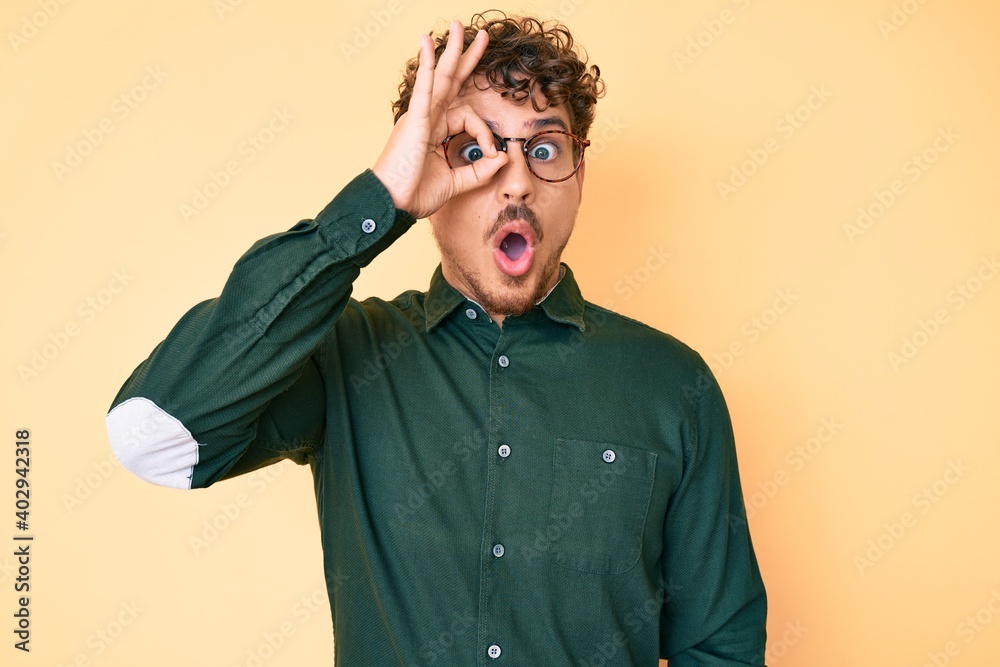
[(600, 498)]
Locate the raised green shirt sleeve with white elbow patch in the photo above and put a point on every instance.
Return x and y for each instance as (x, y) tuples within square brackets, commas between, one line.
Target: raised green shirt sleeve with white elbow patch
[(235, 384)]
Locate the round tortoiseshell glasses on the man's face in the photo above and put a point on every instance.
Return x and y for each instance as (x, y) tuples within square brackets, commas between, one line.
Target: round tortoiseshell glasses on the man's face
[(552, 156)]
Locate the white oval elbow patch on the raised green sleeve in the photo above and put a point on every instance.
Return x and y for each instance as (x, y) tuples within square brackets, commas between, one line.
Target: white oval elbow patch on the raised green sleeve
[(152, 444)]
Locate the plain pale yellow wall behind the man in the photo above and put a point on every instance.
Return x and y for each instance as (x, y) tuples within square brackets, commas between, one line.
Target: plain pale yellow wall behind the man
[(667, 133)]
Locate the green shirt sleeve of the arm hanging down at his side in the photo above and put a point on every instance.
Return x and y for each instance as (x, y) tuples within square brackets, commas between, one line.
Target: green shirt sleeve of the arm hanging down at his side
[(715, 605)]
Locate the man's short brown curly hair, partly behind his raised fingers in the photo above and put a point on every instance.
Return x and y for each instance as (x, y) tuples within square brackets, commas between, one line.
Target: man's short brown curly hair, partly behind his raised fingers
[(523, 53)]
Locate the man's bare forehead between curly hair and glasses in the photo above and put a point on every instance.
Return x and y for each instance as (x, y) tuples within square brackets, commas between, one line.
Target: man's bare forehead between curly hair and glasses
[(505, 116)]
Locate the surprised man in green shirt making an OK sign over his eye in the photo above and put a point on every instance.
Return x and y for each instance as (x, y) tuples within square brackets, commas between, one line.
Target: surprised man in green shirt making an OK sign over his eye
[(496, 460)]
